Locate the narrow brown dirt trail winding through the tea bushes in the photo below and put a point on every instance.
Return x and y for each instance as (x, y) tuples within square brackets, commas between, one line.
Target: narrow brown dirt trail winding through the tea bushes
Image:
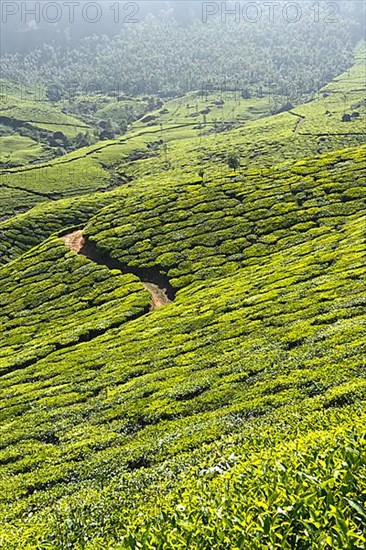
[(76, 242)]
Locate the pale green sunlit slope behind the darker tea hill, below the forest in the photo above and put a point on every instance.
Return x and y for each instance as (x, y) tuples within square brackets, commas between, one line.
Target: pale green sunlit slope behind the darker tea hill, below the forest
[(260, 142)]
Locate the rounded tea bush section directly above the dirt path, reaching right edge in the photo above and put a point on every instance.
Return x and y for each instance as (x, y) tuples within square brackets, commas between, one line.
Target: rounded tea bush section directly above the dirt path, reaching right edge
[(199, 232)]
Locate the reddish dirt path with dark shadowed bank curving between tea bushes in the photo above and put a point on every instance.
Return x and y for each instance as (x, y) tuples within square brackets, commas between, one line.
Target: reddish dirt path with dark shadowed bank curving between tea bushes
[(162, 293)]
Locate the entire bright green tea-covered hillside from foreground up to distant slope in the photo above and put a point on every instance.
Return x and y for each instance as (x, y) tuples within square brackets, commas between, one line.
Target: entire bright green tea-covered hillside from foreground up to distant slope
[(232, 416)]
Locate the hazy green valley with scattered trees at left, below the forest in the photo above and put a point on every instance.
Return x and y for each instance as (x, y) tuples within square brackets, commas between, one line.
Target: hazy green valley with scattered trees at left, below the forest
[(34, 128)]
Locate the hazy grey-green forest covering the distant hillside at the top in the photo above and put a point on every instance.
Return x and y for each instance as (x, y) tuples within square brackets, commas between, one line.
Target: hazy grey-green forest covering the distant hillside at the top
[(276, 56)]
